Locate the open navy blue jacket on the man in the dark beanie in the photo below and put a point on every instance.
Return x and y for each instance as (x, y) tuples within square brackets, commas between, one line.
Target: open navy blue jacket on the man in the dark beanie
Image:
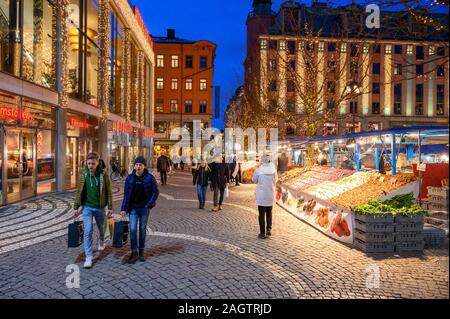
[(150, 187)]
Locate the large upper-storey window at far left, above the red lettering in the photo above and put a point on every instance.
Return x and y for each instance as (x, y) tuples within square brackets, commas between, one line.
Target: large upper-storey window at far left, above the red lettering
[(26, 34)]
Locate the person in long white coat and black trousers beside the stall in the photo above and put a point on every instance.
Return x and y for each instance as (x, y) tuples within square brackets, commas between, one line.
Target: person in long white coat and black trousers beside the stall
[(265, 176)]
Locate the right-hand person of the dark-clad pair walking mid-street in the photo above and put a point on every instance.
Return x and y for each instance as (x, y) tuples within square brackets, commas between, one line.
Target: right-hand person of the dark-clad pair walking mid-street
[(220, 178)]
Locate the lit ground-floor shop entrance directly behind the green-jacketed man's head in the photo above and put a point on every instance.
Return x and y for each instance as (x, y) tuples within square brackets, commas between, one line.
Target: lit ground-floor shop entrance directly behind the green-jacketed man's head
[(82, 138)]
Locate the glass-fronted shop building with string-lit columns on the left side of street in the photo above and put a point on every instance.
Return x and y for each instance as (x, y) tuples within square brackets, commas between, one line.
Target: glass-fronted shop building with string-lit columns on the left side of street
[(69, 70)]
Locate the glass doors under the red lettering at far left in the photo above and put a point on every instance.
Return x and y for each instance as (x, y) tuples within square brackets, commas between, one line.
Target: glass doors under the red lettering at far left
[(20, 164)]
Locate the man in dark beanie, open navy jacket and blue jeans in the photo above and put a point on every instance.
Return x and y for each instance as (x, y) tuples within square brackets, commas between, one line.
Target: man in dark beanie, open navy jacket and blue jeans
[(140, 194)]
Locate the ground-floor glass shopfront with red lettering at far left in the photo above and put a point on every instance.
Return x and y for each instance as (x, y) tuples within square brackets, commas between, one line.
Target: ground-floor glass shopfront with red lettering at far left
[(28, 164)]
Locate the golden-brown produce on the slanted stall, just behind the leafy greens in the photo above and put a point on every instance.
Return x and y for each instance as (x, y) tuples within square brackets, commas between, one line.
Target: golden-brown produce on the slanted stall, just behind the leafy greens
[(375, 187)]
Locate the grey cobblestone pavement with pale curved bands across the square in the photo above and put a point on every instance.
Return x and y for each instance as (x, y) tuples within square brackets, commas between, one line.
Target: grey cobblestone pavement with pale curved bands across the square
[(194, 253)]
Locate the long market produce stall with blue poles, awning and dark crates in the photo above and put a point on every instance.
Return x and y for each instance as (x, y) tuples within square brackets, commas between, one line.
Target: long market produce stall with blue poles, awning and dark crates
[(335, 201)]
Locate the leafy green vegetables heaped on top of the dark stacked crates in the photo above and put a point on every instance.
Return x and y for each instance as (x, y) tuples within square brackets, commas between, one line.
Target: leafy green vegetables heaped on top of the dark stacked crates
[(400, 204)]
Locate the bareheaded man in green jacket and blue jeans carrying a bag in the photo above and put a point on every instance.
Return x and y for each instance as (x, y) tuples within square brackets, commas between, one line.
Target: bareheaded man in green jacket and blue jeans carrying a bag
[(93, 195)]
